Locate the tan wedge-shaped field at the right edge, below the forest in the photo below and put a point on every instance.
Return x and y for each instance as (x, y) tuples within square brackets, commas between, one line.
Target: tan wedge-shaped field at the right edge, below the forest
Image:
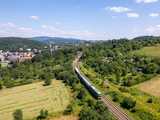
[(151, 87)]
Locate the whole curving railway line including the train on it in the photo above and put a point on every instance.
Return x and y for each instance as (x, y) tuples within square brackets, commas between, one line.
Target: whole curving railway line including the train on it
[(119, 113)]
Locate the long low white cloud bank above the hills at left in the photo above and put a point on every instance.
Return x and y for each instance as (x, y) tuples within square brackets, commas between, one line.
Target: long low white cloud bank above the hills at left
[(11, 29)]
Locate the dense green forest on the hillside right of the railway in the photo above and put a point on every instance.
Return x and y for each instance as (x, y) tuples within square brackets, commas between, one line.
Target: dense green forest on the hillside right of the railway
[(113, 59)]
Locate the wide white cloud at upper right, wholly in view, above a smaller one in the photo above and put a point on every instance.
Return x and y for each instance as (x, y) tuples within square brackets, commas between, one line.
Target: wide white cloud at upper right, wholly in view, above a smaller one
[(118, 9)]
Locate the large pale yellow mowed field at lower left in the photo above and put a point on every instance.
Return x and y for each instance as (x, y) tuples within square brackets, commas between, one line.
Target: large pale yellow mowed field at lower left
[(32, 98)]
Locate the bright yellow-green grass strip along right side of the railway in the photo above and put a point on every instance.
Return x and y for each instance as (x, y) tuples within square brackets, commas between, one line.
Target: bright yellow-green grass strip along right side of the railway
[(133, 92)]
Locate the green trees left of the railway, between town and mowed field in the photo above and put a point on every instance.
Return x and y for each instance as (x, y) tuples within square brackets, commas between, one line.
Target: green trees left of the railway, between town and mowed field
[(45, 67)]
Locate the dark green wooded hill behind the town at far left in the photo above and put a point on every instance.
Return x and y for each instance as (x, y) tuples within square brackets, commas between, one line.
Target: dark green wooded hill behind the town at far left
[(13, 43)]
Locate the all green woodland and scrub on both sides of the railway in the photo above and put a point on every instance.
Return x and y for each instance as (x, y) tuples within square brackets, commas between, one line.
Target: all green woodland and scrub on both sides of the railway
[(113, 61)]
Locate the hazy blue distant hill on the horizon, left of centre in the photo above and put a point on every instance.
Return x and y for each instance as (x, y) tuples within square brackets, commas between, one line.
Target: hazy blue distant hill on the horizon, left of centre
[(57, 40)]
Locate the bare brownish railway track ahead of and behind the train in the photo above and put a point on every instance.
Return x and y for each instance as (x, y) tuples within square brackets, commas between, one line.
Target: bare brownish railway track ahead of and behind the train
[(118, 112)]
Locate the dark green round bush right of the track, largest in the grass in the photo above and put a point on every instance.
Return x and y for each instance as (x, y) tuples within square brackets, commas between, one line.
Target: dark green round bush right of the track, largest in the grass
[(128, 103)]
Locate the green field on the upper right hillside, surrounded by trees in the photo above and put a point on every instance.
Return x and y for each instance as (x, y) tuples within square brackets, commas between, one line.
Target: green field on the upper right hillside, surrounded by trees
[(153, 51)]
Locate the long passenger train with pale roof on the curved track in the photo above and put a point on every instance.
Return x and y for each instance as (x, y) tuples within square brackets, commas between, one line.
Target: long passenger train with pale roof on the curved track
[(95, 93)]
